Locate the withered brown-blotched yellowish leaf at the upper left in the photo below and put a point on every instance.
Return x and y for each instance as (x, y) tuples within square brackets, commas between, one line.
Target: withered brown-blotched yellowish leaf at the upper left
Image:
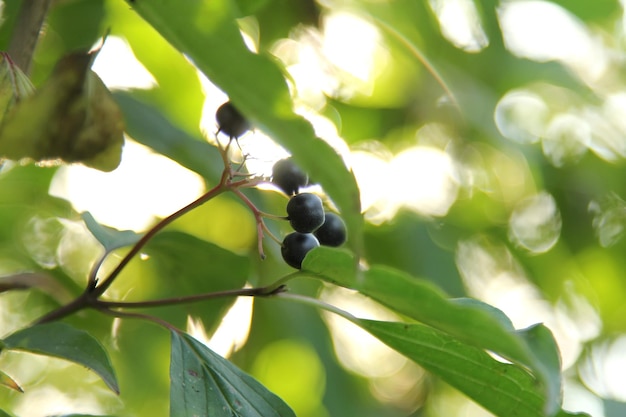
[(72, 117)]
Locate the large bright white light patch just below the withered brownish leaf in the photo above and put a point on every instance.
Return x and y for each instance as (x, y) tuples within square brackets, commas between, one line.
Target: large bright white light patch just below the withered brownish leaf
[(145, 185)]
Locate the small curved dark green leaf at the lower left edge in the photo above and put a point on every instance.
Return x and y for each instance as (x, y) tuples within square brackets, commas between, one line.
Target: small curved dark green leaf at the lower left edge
[(63, 341)]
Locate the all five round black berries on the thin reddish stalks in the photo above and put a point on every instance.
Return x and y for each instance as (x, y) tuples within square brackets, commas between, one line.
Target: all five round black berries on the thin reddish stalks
[(312, 225)]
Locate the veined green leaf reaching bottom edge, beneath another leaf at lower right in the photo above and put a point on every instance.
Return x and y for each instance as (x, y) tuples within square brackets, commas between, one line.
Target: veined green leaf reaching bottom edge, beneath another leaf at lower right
[(506, 390)]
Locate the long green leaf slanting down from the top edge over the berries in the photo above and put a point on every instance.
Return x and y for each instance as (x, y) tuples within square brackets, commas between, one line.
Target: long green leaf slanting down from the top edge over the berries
[(208, 34)]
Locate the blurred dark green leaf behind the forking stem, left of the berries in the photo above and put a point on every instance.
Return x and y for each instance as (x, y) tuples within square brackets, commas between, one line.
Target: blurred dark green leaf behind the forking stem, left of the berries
[(186, 265)]
